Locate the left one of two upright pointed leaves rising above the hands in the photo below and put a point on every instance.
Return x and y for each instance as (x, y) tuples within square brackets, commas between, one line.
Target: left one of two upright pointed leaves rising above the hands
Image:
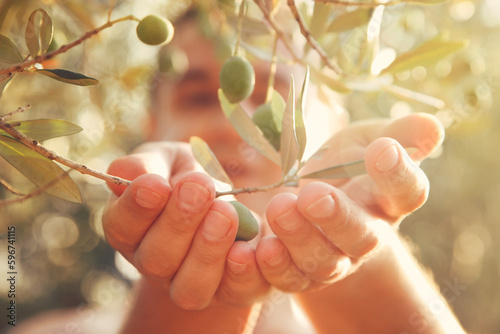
[(289, 146)]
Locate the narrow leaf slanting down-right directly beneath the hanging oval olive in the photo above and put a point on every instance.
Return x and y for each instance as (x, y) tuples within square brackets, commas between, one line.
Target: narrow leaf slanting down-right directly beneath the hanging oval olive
[(247, 129)]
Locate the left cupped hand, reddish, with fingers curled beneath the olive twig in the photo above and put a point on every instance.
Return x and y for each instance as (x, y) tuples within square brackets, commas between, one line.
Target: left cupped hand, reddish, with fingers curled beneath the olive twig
[(169, 225)]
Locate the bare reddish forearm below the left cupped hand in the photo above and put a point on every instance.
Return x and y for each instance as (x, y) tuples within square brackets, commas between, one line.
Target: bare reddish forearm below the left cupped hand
[(152, 311)]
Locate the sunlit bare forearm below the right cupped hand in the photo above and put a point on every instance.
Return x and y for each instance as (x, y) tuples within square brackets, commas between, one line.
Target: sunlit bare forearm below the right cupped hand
[(388, 294)]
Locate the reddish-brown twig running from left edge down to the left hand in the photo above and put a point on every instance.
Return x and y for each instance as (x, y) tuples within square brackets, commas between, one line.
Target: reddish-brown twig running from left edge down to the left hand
[(37, 147)]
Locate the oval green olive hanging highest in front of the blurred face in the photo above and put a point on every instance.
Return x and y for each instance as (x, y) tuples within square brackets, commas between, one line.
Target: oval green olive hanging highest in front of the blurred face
[(237, 79)]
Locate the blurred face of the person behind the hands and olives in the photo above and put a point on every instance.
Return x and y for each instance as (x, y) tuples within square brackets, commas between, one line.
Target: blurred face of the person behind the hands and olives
[(189, 106)]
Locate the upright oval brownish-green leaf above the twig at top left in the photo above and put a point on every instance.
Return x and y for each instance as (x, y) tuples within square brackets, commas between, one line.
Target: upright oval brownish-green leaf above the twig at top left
[(39, 32)]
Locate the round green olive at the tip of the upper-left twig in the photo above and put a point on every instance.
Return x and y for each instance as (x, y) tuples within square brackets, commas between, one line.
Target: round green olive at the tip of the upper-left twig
[(155, 30)]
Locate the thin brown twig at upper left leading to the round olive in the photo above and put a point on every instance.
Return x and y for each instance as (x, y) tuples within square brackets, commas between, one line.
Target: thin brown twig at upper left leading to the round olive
[(20, 67)]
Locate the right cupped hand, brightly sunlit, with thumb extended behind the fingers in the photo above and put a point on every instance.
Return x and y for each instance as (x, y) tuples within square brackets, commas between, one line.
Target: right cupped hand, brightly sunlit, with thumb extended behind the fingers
[(326, 231)]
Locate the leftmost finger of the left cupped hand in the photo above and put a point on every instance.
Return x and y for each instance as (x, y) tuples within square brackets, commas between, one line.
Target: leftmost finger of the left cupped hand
[(127, 218)]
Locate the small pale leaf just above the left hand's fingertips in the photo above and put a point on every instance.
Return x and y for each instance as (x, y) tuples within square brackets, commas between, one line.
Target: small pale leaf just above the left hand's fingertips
[(204, 155)]
